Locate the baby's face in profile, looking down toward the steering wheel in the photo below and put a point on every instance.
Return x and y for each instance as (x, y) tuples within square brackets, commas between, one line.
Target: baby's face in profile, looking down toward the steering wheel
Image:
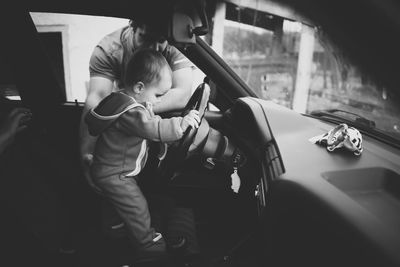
[(154, 91)]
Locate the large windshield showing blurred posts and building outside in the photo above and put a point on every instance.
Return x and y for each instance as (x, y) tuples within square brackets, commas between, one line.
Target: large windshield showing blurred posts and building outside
[(295, 65)]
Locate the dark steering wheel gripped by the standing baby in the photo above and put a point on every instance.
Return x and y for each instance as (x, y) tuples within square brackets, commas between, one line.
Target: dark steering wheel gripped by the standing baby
[(177, 154)]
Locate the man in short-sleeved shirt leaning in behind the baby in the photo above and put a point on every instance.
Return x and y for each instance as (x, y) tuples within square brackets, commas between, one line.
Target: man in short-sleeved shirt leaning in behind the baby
[(107, 70)]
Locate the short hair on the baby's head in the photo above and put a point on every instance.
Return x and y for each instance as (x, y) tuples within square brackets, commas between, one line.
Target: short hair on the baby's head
[(144, 66)]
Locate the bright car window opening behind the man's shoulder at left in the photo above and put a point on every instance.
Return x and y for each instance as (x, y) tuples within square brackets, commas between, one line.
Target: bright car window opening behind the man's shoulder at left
[(68, 40)]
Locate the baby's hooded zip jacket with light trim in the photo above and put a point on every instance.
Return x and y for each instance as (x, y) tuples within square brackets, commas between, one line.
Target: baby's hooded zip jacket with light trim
[(125, 127)]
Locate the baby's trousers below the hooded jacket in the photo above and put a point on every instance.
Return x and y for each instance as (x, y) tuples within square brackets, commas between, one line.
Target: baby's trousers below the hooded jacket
[(128, 200)]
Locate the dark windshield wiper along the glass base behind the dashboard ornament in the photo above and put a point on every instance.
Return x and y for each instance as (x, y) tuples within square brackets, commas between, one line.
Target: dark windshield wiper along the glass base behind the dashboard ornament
[(364, 125)]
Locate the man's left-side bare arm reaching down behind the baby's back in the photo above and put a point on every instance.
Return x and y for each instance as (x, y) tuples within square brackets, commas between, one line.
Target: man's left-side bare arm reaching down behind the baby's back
[(99, 88)]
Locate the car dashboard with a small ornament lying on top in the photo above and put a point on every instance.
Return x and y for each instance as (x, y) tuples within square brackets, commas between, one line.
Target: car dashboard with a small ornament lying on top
[(318, 202)]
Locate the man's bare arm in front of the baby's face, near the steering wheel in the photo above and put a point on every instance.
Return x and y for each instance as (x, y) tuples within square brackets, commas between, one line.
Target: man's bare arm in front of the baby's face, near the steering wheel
[(179, 95)]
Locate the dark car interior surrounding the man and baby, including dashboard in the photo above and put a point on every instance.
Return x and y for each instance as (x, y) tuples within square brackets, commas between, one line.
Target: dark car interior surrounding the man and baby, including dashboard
[(297, 204)]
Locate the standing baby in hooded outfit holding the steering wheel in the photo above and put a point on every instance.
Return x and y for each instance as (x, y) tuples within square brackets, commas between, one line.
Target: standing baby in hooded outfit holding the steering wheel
[(125, 123)]
